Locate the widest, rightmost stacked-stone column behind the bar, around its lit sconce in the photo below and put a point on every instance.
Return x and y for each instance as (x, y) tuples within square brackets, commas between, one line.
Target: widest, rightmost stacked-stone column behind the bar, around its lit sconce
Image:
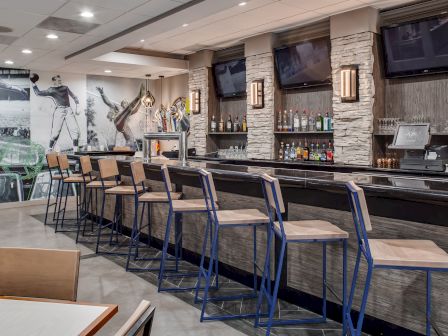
[(353, 122)]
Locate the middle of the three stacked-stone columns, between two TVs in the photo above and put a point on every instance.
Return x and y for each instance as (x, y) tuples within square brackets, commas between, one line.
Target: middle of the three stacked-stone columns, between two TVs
[(260, 122)]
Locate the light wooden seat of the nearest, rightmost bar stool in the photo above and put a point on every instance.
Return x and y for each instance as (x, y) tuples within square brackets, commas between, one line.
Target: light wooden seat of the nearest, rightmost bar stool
[(408, 253)]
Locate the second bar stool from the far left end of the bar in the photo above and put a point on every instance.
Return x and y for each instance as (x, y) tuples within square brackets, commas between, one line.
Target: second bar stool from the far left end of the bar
[(68, 182)]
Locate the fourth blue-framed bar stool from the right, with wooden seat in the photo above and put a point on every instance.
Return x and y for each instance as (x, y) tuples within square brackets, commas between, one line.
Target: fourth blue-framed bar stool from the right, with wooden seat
[(177, 207)]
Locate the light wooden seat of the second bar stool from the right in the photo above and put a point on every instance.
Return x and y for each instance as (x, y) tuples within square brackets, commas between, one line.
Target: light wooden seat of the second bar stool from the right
[(311, 229)]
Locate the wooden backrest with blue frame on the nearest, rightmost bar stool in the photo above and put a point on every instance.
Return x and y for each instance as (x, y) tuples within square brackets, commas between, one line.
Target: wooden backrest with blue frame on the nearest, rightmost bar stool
[(360, 213)]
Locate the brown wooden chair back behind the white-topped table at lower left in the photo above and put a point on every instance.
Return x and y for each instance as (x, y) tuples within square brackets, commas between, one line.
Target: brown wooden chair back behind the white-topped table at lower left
[(39, 273)]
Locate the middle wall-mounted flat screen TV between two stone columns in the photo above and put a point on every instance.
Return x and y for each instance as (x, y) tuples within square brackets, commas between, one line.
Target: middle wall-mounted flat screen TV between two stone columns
[(304, 64)]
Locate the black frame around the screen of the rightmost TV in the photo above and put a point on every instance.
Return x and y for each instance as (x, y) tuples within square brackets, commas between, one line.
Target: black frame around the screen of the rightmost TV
[(409, 73)]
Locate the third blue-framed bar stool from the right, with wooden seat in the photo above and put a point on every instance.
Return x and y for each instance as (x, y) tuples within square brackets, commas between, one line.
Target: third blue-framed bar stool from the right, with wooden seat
[(226, 219)]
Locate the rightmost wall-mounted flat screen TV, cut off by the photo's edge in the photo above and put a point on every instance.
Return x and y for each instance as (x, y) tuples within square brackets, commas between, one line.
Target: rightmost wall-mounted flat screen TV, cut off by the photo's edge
[(416, 48)]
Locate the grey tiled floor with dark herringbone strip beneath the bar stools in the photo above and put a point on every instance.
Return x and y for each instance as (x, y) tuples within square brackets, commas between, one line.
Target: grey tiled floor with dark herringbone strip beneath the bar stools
[(103, 279)]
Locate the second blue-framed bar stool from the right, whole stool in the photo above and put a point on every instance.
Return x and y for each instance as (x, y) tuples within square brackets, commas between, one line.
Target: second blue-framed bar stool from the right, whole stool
[(306, 231)]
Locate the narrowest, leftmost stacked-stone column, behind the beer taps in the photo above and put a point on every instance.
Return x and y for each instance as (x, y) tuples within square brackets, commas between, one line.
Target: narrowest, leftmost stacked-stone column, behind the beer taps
[(199, 79)]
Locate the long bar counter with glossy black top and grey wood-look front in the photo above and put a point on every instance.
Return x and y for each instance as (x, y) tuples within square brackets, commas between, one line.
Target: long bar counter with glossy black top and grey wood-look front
[(402, 206)]
